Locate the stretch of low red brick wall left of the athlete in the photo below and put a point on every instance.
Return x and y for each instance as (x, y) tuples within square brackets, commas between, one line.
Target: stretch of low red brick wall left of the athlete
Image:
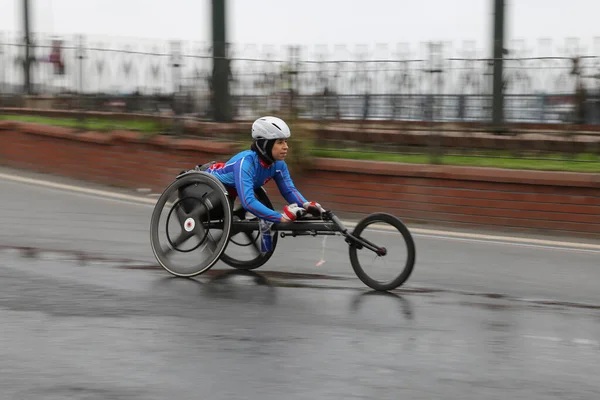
[(117, 158)]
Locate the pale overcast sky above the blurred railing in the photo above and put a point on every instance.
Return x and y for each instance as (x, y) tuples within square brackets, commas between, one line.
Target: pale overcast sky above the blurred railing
[(313, 22)]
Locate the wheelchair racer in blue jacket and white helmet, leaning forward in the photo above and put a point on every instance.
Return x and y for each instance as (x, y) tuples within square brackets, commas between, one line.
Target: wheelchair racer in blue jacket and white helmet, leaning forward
[(251, 169)]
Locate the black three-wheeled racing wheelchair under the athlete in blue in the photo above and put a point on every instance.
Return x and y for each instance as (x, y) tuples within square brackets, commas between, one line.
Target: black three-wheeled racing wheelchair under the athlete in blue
[(196, 223)]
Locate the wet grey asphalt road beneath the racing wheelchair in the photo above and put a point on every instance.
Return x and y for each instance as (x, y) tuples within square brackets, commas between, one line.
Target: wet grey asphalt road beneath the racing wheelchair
[(87, 315)]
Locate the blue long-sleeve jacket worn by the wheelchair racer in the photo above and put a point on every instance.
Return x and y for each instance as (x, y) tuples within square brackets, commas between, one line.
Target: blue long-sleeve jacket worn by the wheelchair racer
[(245, 172)]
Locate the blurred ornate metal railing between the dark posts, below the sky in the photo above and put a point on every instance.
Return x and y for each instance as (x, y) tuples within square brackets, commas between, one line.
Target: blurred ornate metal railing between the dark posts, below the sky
[(433, 83)]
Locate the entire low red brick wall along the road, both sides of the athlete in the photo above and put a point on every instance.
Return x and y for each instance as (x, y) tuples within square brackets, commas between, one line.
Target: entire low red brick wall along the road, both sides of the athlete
[(544, 201)]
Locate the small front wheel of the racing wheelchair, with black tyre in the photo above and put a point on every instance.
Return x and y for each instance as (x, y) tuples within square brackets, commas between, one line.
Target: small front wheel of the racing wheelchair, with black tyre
[(393, 266)]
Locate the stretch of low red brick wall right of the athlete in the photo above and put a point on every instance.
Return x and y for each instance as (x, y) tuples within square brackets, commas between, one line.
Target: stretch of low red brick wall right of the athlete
[(460, 195)]
